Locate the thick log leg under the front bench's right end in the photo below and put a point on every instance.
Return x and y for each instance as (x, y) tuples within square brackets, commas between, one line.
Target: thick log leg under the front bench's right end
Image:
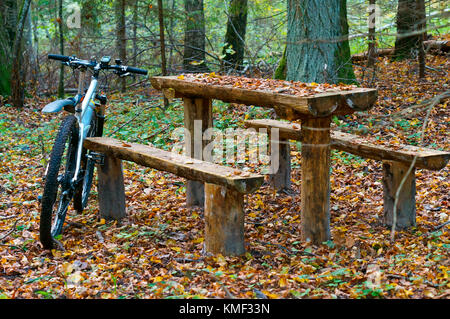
[(224, 221)]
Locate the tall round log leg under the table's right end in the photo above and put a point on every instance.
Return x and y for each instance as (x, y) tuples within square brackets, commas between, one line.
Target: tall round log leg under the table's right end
[(315, 188)]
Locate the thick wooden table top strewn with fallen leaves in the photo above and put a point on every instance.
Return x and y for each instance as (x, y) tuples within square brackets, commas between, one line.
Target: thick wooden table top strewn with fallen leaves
[(290, 107)]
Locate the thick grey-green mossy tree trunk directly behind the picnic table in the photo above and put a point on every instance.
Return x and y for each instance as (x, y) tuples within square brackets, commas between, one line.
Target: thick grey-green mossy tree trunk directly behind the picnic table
[(317, 42)]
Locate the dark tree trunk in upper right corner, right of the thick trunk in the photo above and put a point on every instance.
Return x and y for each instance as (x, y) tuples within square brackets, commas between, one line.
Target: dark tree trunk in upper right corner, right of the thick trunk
[(406, 41)]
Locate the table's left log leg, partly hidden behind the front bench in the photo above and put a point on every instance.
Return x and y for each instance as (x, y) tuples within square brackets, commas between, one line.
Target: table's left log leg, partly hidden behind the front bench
[(197, 119)]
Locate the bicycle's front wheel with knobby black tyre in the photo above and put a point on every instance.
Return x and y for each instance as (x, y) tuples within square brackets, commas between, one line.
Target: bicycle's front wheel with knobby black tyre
[(59, 189)]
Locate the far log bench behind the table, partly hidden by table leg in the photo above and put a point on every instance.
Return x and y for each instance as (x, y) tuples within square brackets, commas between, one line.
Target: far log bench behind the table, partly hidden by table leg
[(396, 163)]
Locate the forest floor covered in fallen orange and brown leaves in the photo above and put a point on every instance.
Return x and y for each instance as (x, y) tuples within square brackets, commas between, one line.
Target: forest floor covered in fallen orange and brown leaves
[(156, 251)]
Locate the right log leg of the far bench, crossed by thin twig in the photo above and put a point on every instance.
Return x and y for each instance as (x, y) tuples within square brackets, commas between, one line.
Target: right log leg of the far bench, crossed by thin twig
[(393, 173)]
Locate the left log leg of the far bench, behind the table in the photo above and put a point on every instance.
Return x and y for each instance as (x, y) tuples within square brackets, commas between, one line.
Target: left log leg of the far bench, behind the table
[(281, 179)]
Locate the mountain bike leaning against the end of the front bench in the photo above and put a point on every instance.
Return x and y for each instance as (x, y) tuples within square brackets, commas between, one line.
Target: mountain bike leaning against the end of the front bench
[(70, 170)]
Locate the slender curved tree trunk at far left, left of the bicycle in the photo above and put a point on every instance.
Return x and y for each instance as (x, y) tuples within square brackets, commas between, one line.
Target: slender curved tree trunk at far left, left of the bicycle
[(17, 81)]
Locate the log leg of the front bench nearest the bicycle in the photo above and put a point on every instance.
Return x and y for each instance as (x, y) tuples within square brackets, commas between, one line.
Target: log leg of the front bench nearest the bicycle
[(111, 190)]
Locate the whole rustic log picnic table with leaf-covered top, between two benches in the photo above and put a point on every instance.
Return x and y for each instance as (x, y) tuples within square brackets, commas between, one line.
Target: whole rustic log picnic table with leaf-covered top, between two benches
[(314, 111)]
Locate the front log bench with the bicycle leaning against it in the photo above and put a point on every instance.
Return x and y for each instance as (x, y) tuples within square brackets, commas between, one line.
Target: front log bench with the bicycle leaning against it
[(224, 188)]
